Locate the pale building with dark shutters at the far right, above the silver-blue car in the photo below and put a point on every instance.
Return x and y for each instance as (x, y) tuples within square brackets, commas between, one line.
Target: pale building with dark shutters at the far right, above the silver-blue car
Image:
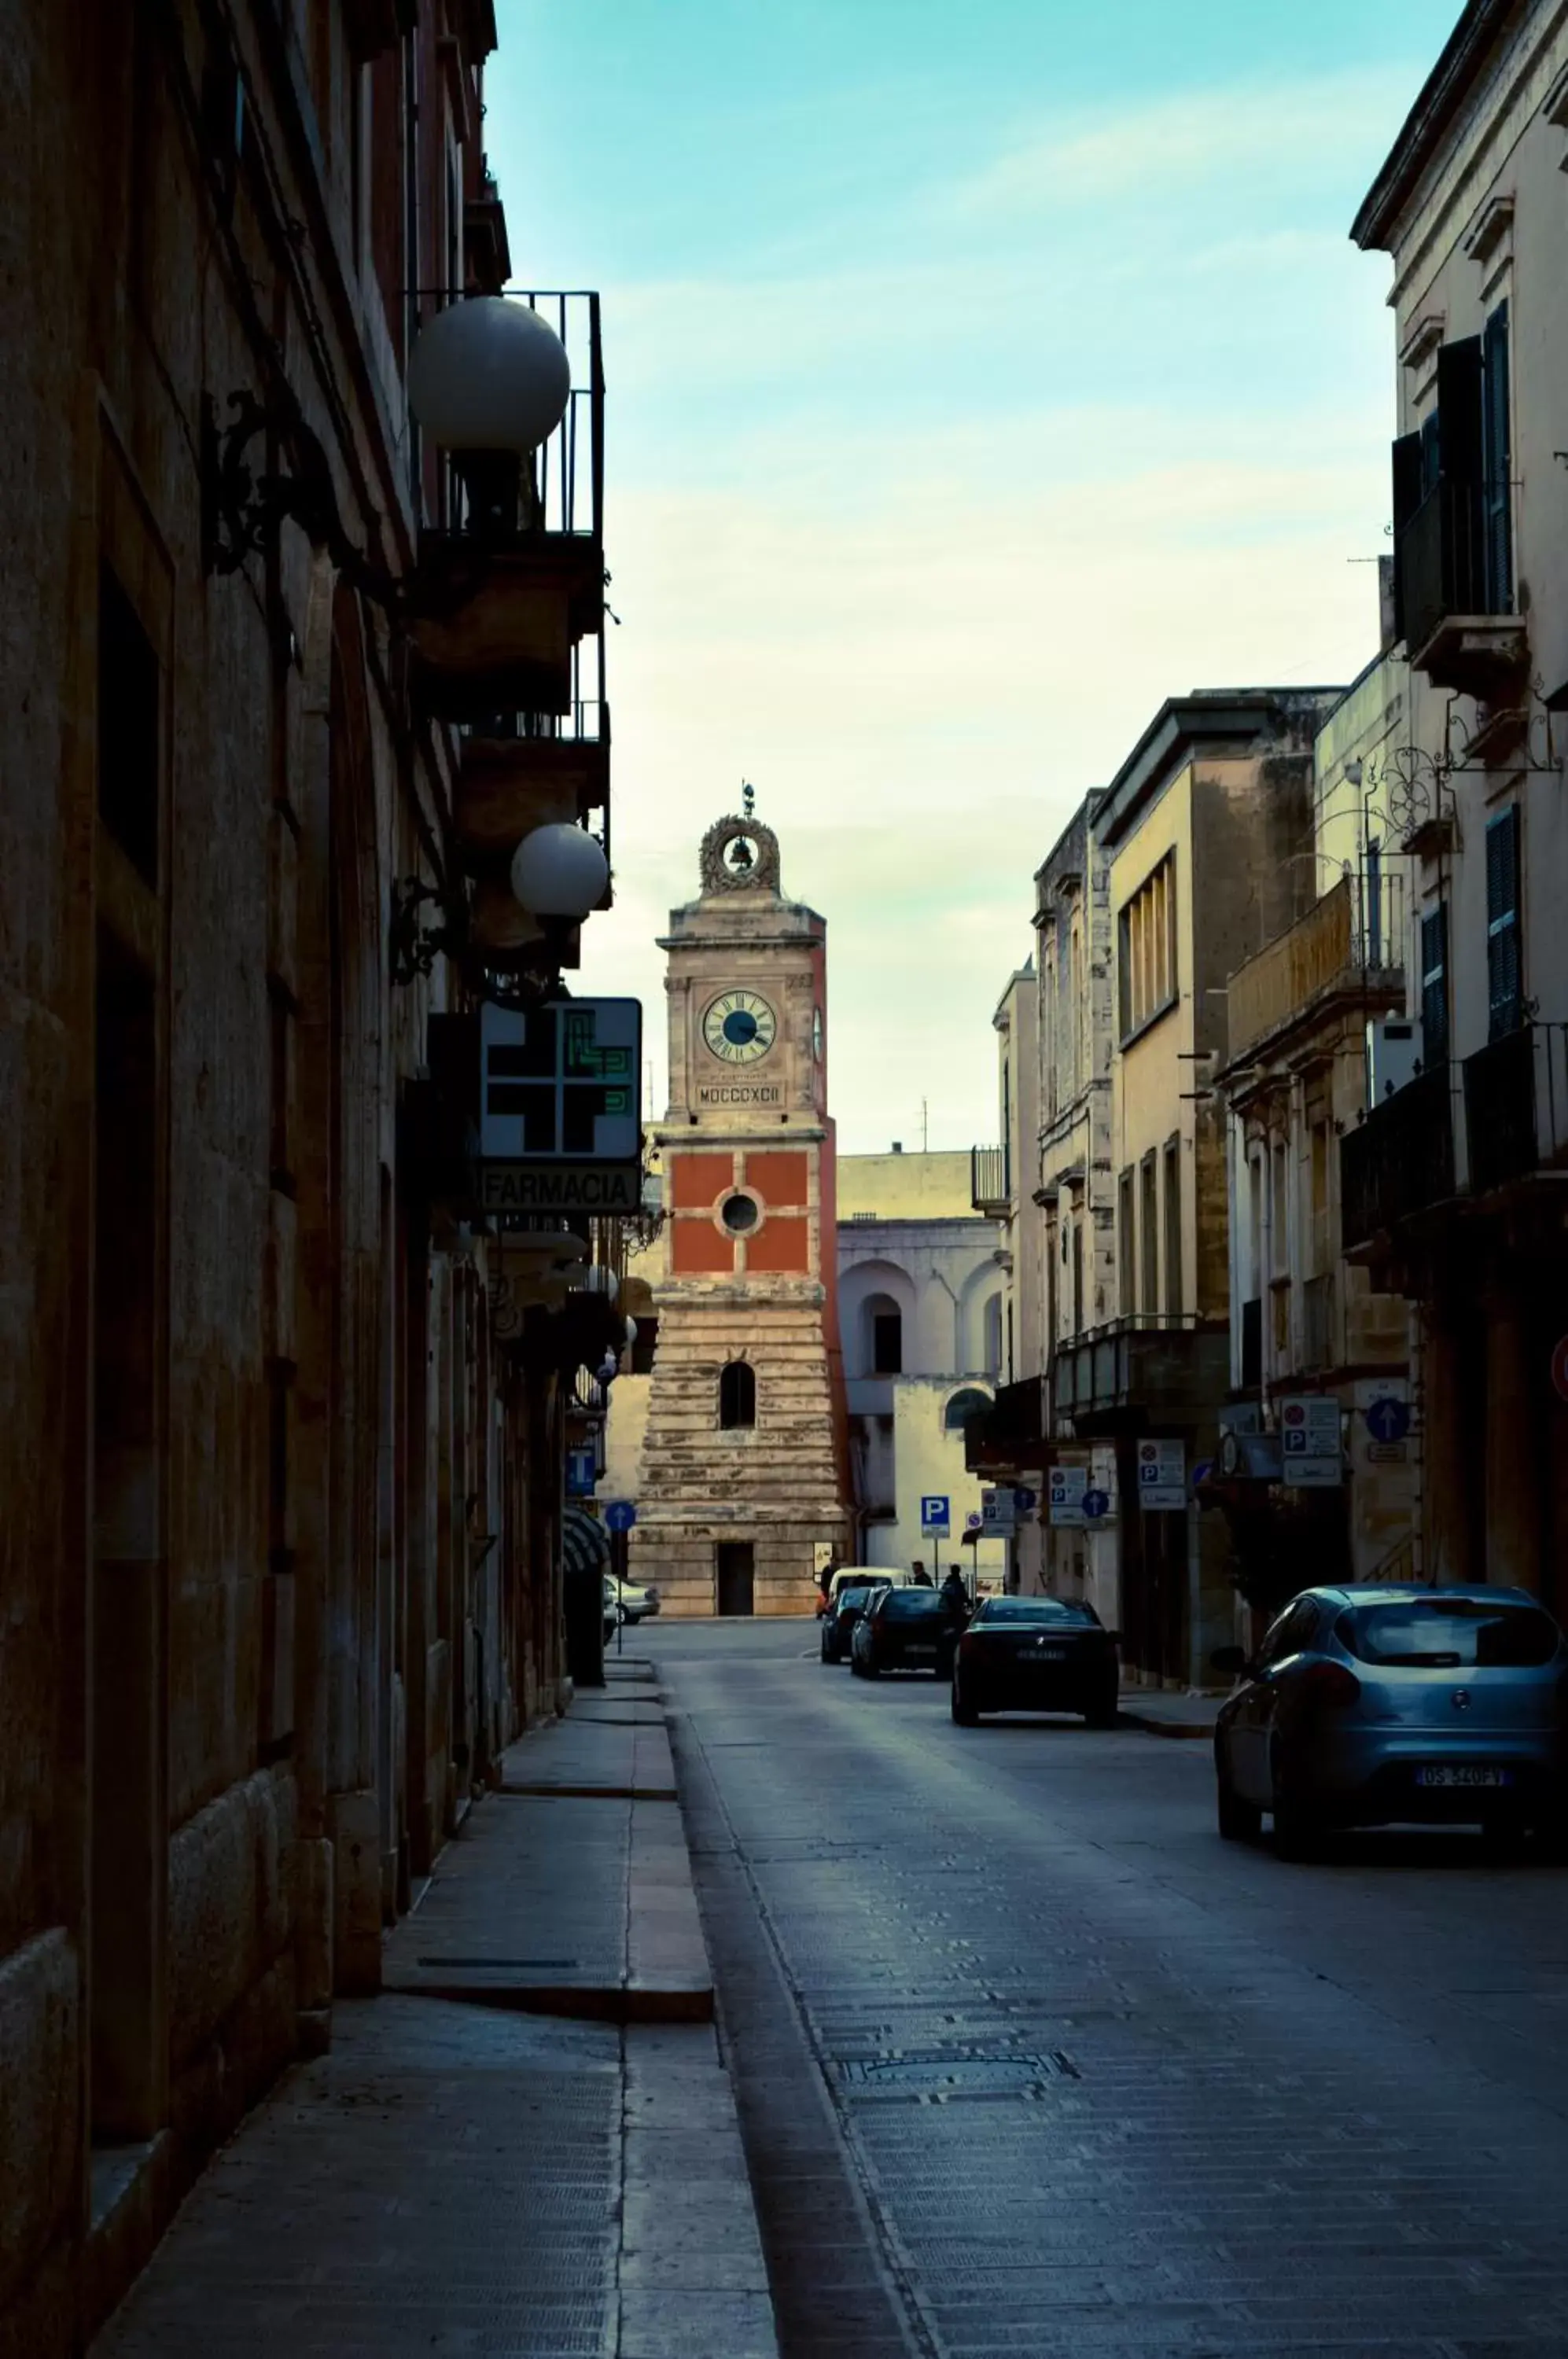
[(1454, 1183)]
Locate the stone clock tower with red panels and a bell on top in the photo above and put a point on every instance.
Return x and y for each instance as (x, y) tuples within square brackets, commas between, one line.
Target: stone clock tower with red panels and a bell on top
[(744, 1464)]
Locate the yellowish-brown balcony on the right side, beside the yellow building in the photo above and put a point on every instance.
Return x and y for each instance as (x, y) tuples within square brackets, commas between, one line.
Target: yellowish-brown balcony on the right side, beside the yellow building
[(1350, 942)]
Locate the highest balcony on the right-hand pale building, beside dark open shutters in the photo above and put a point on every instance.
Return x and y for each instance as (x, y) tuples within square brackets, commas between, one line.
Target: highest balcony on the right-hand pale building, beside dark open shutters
[(1451, 629)]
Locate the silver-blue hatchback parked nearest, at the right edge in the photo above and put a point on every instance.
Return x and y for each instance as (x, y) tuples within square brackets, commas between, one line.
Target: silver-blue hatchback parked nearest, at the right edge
[(1371, 1707)]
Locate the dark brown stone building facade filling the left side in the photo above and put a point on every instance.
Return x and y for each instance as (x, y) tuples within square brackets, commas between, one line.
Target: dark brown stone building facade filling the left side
[(279, 1499)]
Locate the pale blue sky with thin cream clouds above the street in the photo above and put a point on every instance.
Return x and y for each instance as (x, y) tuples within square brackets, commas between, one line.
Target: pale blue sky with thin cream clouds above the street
[(980, 376)]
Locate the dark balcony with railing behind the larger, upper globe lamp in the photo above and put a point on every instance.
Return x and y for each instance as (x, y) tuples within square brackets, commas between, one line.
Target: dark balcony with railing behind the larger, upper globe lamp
[(501, 617)]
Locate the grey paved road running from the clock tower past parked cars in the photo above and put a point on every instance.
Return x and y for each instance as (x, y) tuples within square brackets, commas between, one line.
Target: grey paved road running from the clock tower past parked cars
[(1032, 2063)]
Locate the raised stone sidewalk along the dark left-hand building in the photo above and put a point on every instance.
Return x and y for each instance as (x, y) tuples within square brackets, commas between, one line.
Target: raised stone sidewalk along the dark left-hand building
[(470, 2174)]
